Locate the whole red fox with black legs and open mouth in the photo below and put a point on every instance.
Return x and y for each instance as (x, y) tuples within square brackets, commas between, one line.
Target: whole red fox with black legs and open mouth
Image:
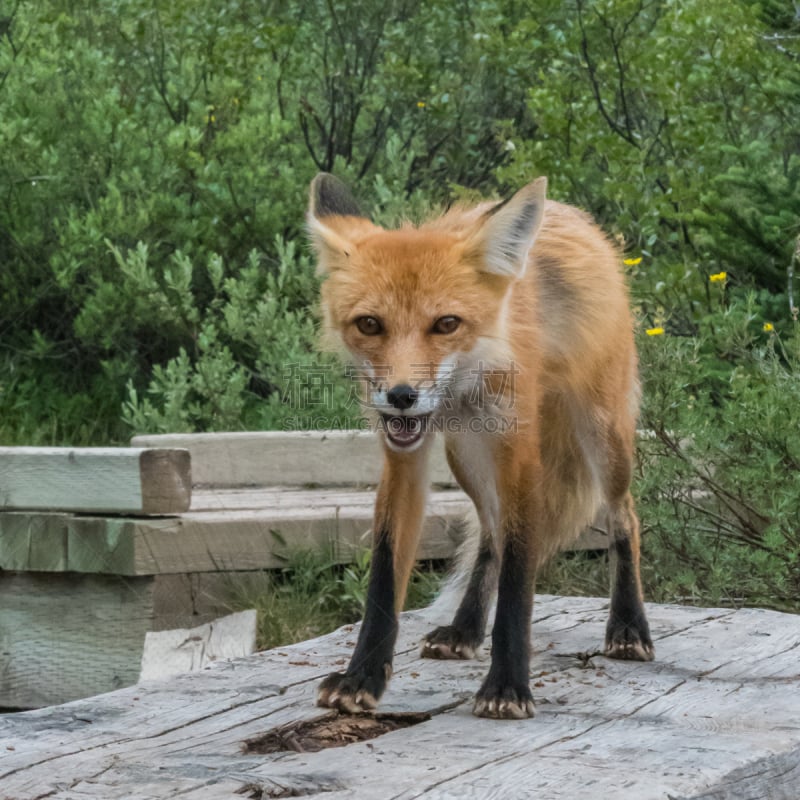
[(507, 327)]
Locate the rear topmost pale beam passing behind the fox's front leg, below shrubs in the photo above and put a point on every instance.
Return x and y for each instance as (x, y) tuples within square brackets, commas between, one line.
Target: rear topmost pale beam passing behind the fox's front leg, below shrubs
[(296, 458)]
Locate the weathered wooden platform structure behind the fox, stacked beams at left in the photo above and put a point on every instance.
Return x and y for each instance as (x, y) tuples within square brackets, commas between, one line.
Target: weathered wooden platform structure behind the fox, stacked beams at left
[(118, 564)]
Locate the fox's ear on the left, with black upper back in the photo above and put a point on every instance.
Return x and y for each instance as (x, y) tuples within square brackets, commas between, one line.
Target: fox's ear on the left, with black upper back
[(333, 216)]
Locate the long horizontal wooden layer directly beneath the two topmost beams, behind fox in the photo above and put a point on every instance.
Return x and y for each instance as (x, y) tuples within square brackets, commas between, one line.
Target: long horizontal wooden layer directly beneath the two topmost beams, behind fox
[(244, 539)]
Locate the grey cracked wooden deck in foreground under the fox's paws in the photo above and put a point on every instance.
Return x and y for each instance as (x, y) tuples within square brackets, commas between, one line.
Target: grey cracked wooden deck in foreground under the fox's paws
[(717, 715)]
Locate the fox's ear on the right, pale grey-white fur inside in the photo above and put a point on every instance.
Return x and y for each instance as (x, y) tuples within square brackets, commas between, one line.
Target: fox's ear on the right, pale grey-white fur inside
[(506, 232)]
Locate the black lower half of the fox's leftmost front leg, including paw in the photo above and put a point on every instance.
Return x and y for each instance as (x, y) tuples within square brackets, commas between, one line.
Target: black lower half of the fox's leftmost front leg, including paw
[(361, 686)]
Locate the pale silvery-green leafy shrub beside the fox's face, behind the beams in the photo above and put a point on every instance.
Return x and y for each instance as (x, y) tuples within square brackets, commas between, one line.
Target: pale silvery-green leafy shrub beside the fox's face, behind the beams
[(251, 363)]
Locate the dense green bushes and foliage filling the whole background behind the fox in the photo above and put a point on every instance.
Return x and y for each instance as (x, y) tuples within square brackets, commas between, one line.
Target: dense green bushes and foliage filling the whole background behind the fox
[(154, 163)]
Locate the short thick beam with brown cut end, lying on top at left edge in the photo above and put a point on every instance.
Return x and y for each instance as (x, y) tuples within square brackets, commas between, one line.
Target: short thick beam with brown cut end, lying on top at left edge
[(95, 479)]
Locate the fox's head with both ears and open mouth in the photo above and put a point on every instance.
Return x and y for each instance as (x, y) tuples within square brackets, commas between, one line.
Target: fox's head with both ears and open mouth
[(420, 312)]
